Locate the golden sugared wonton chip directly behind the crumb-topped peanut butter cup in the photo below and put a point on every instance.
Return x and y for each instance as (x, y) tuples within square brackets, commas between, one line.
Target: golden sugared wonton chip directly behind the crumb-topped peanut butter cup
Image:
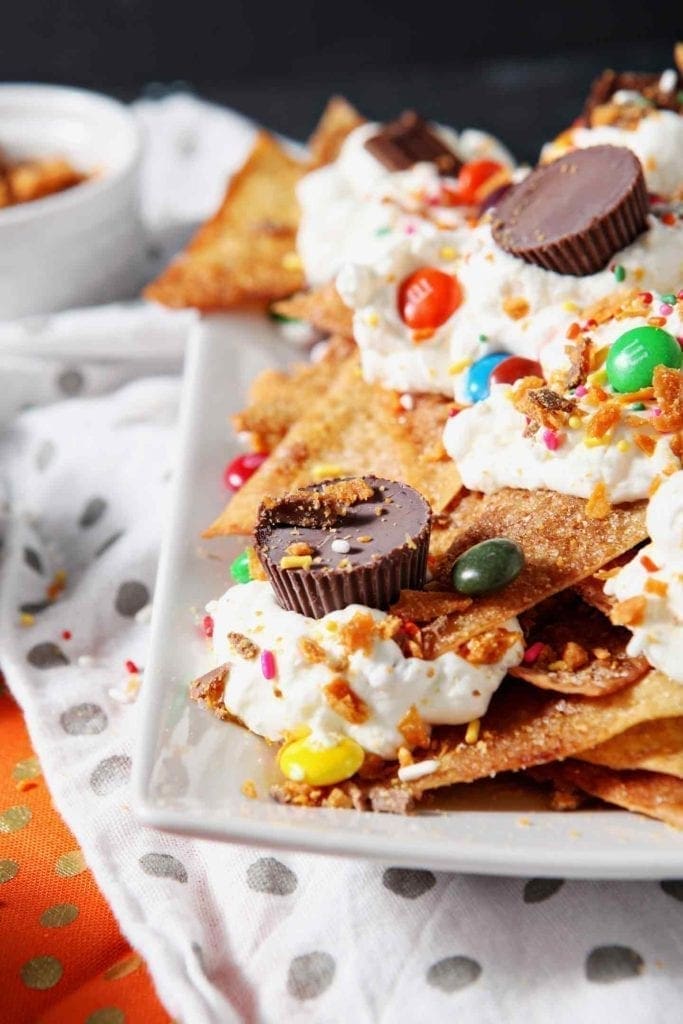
[(355, 430)]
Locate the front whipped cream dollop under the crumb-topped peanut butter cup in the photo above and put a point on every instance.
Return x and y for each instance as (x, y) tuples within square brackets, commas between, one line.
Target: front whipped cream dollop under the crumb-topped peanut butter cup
[(446, 691)]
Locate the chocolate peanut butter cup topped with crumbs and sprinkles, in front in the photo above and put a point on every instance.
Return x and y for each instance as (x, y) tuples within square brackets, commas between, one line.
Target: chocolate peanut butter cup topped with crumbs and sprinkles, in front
[(359, 541)]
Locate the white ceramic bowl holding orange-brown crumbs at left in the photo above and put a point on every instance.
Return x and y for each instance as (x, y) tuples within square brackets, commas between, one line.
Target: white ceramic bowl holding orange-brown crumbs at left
[(86, 245)]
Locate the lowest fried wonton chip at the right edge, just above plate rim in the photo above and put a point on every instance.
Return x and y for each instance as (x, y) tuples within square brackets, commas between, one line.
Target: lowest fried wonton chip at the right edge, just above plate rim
[(653, 794)]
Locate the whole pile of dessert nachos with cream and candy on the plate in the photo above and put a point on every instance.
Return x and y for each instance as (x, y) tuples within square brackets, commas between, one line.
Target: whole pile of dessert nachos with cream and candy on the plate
[(464, 514)]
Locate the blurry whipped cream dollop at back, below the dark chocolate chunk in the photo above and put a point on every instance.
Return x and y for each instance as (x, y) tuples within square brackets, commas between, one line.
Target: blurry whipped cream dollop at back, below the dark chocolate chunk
[(355, 209)]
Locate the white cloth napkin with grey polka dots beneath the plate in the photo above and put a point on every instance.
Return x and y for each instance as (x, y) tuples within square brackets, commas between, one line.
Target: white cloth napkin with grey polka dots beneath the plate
[(232, 933)]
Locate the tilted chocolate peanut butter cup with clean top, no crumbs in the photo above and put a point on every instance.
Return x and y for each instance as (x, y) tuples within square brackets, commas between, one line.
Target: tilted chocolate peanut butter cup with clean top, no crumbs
[(573, 216)]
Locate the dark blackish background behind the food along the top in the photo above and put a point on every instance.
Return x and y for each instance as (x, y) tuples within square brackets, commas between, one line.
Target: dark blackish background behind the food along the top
[(520, 70)]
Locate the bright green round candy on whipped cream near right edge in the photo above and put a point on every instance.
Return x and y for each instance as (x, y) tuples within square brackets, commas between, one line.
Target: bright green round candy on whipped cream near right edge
[(635, 356)]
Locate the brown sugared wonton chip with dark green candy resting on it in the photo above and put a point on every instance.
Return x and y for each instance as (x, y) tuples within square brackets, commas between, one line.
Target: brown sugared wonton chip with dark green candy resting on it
[(562, 545)]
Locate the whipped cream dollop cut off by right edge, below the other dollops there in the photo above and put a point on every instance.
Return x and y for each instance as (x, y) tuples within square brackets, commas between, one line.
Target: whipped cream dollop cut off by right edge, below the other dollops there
[(656, 575)]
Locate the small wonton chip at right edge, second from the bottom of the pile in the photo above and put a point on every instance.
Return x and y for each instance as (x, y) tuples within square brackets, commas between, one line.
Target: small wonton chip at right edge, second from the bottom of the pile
[(653, 746)]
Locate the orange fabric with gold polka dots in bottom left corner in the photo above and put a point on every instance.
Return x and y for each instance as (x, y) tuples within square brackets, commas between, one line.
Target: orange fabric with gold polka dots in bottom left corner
[(63, 960)]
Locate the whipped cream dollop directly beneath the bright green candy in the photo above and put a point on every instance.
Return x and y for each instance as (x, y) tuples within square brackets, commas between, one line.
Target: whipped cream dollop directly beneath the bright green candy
[(491, 450)]
